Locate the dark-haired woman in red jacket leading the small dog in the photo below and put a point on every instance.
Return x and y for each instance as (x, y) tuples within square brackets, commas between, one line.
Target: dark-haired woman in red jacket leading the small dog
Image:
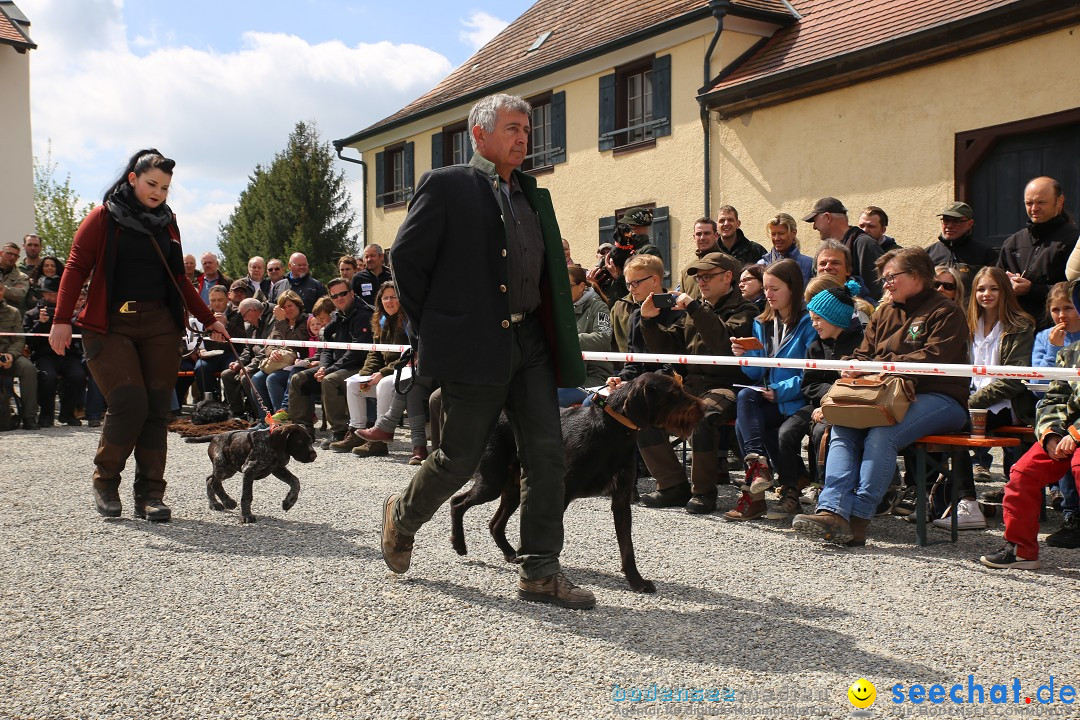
[(131, 327)]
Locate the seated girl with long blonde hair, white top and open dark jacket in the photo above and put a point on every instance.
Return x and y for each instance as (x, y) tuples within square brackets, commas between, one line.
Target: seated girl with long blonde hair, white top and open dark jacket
[(1002, 334)]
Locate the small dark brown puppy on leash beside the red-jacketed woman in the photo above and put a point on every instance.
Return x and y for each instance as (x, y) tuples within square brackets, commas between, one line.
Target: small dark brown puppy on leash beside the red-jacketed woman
[(256, 454)]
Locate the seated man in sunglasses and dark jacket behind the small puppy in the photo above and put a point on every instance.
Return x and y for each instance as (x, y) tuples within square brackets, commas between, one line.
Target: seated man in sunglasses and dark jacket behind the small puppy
[(352, 323)]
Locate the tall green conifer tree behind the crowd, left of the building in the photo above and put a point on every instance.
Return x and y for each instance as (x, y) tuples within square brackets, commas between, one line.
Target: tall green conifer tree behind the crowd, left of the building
[(299, 205)]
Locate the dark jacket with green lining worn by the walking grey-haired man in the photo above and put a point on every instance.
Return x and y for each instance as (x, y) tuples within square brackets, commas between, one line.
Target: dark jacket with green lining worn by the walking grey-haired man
[(451, 269)]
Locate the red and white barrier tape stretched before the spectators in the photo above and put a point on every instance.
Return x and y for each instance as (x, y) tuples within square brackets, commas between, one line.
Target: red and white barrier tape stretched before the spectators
[(1009, 372)]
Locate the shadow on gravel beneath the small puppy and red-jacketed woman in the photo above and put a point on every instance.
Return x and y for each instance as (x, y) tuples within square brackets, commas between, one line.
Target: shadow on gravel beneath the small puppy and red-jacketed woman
[(269, 537)]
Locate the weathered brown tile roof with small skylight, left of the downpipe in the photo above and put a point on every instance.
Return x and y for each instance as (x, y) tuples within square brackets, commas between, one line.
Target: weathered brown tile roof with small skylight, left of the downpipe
[(578, 31)]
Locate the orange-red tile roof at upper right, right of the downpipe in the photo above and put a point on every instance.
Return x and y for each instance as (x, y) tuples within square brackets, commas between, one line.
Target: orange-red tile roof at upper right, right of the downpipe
[(831, 30)]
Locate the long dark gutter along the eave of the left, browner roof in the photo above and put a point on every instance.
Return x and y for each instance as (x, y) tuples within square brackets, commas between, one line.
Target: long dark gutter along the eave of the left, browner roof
[(565, 63)]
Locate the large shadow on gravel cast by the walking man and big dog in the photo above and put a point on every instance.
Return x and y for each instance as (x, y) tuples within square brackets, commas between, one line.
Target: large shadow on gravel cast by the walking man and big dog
[(698, 636)]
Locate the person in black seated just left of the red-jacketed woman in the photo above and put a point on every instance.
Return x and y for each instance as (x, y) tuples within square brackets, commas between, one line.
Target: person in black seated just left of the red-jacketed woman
[(52, 368)]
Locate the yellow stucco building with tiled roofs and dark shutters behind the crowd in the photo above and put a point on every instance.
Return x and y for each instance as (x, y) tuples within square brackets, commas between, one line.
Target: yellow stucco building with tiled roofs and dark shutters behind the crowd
[(907, 107)]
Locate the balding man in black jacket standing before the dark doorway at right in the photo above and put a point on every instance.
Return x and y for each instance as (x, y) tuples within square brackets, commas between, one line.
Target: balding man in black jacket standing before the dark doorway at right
[(1035, 257)]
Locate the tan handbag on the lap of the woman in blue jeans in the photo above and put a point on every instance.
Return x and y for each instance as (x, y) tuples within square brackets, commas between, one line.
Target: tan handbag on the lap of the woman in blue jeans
[(872, 401)]
